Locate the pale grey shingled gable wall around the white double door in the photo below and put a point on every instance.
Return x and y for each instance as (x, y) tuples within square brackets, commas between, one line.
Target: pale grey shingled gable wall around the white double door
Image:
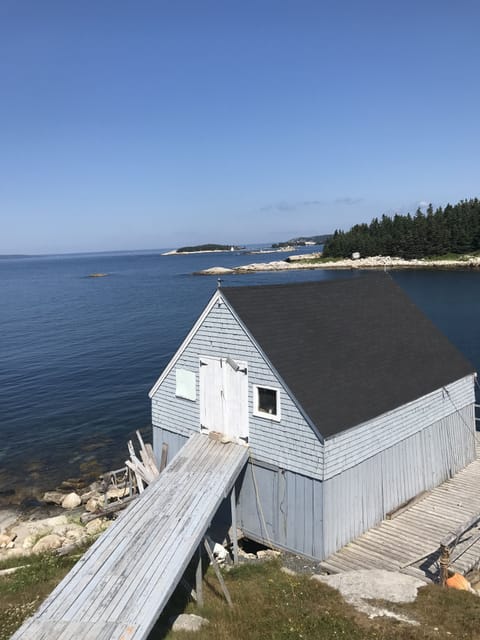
[(290, 443)]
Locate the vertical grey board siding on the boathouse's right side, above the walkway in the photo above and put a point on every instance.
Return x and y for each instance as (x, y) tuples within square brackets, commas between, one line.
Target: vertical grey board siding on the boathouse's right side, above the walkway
[(361, 496)]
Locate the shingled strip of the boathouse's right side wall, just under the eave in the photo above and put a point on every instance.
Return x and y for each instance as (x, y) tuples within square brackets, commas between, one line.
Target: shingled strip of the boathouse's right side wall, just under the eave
[(352, 447)]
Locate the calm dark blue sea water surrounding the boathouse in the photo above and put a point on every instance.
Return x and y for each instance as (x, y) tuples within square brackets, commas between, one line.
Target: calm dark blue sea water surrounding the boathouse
[(78, 355)]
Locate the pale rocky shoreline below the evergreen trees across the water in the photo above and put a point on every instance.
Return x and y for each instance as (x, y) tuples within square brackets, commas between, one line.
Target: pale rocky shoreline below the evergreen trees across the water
[(374, 262)]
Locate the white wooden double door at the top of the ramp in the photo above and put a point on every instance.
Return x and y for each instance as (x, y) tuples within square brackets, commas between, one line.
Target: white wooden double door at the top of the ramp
[(224, 397)]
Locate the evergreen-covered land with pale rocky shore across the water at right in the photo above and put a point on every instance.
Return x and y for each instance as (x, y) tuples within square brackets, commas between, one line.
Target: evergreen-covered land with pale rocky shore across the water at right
[(447, 238)]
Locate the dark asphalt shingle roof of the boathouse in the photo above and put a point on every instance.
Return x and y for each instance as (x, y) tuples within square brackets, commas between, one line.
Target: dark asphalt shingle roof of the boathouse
[(349, 350)]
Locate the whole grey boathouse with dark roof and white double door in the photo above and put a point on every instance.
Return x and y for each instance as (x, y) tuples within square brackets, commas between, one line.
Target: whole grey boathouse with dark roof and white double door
[(351, 401)]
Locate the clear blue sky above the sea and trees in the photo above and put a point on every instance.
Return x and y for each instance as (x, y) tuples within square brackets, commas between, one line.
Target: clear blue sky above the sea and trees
[(130, 125)]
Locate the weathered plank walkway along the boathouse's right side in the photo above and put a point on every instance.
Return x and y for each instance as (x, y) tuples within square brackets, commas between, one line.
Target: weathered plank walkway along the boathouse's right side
[(410, 541)]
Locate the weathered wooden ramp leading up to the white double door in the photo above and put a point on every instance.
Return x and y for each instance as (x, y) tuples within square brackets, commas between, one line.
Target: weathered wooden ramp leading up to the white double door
[(121, 585)]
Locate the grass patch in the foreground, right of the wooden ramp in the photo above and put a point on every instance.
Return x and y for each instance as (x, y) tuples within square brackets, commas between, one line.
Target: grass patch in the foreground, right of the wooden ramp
[(270, 605)]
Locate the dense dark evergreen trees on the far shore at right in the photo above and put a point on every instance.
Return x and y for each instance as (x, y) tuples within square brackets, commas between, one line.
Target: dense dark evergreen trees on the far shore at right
[(452, 229)]
